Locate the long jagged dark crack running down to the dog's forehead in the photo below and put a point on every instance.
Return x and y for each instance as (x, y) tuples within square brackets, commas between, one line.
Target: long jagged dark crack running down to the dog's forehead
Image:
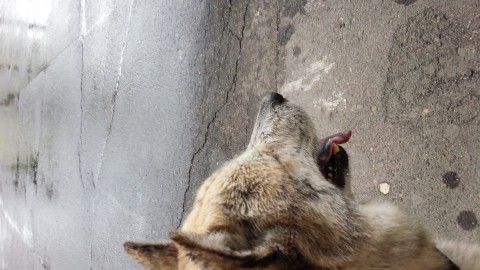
[(229, 90)]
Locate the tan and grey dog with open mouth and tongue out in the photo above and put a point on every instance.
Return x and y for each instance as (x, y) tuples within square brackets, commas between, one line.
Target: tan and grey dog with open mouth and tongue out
[(284, 204)]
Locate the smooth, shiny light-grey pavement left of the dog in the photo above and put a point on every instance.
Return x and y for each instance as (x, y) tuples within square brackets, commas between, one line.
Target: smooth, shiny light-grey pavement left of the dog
[(98, 137)]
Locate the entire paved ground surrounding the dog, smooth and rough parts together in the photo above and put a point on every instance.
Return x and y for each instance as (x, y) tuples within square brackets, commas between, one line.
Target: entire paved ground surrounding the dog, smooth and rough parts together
[(113, 112)]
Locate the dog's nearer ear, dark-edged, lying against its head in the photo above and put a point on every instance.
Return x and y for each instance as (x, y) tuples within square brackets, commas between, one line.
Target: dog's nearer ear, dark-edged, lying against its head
[(210, 249)]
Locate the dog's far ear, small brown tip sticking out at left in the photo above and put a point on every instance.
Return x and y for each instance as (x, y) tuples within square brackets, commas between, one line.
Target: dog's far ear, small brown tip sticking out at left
[(160, 256)]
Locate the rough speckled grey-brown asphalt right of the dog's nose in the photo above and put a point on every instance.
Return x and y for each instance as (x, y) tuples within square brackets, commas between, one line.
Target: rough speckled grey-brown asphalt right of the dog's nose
[(405, 79)]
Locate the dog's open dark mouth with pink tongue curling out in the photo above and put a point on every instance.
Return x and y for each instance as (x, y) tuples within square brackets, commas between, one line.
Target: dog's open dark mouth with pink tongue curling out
[(332, 159)]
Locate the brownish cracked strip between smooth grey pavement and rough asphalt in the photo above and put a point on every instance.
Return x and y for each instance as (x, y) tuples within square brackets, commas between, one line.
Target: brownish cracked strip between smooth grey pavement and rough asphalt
[(226, 78)]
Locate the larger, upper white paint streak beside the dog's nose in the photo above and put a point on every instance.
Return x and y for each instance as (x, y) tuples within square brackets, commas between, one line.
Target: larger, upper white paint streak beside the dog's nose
[(311, 76)]
